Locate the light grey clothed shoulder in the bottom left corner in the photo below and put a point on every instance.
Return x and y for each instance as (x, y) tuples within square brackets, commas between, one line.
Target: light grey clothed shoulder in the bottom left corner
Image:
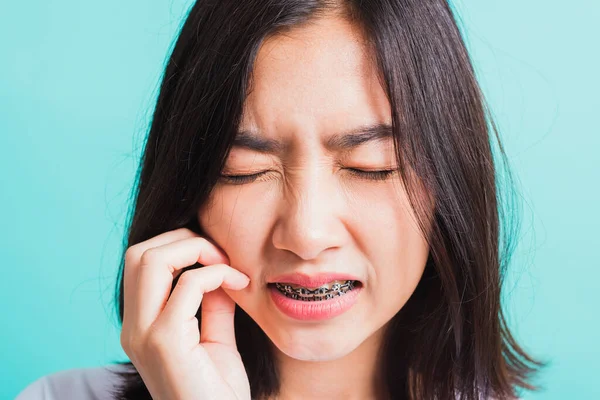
[(94, 383)]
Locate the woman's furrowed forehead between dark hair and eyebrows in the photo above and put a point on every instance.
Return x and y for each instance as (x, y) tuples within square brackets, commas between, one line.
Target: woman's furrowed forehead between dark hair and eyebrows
[(313, 80)]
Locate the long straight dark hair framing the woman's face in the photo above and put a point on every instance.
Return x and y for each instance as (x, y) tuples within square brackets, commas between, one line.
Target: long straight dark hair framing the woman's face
[(451, 338)]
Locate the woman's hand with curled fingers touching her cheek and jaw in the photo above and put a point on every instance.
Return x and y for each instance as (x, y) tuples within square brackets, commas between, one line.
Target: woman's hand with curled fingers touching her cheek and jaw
[(160, 333)]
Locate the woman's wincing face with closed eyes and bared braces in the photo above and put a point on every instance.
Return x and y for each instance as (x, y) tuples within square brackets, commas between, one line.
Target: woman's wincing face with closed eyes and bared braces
[(308, 213)]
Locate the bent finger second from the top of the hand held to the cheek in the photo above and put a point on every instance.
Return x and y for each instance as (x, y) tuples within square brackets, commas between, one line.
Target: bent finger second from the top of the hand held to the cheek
[(156, 269)]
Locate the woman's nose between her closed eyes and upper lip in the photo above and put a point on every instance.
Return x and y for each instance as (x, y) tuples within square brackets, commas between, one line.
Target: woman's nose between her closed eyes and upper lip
[(311, 218)]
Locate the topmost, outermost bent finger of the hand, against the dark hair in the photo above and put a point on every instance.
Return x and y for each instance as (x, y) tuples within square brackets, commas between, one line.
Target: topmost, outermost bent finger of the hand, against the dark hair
[(132, 261)]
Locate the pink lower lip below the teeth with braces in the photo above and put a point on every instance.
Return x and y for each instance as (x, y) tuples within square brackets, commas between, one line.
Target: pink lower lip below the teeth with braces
[(314, 310)]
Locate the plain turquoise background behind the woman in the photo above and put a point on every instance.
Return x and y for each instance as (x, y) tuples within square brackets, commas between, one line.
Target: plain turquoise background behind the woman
[(77, 85)]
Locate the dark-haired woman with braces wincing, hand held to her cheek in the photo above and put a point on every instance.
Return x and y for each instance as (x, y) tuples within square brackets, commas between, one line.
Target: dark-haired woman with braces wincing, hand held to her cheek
[(316, 214)]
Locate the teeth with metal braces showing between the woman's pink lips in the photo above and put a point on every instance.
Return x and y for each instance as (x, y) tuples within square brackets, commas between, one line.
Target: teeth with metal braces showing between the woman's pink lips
[(327, 291)]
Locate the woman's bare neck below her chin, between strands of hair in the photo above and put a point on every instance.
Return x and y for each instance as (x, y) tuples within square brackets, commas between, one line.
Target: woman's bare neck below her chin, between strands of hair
[(354, 376)]
